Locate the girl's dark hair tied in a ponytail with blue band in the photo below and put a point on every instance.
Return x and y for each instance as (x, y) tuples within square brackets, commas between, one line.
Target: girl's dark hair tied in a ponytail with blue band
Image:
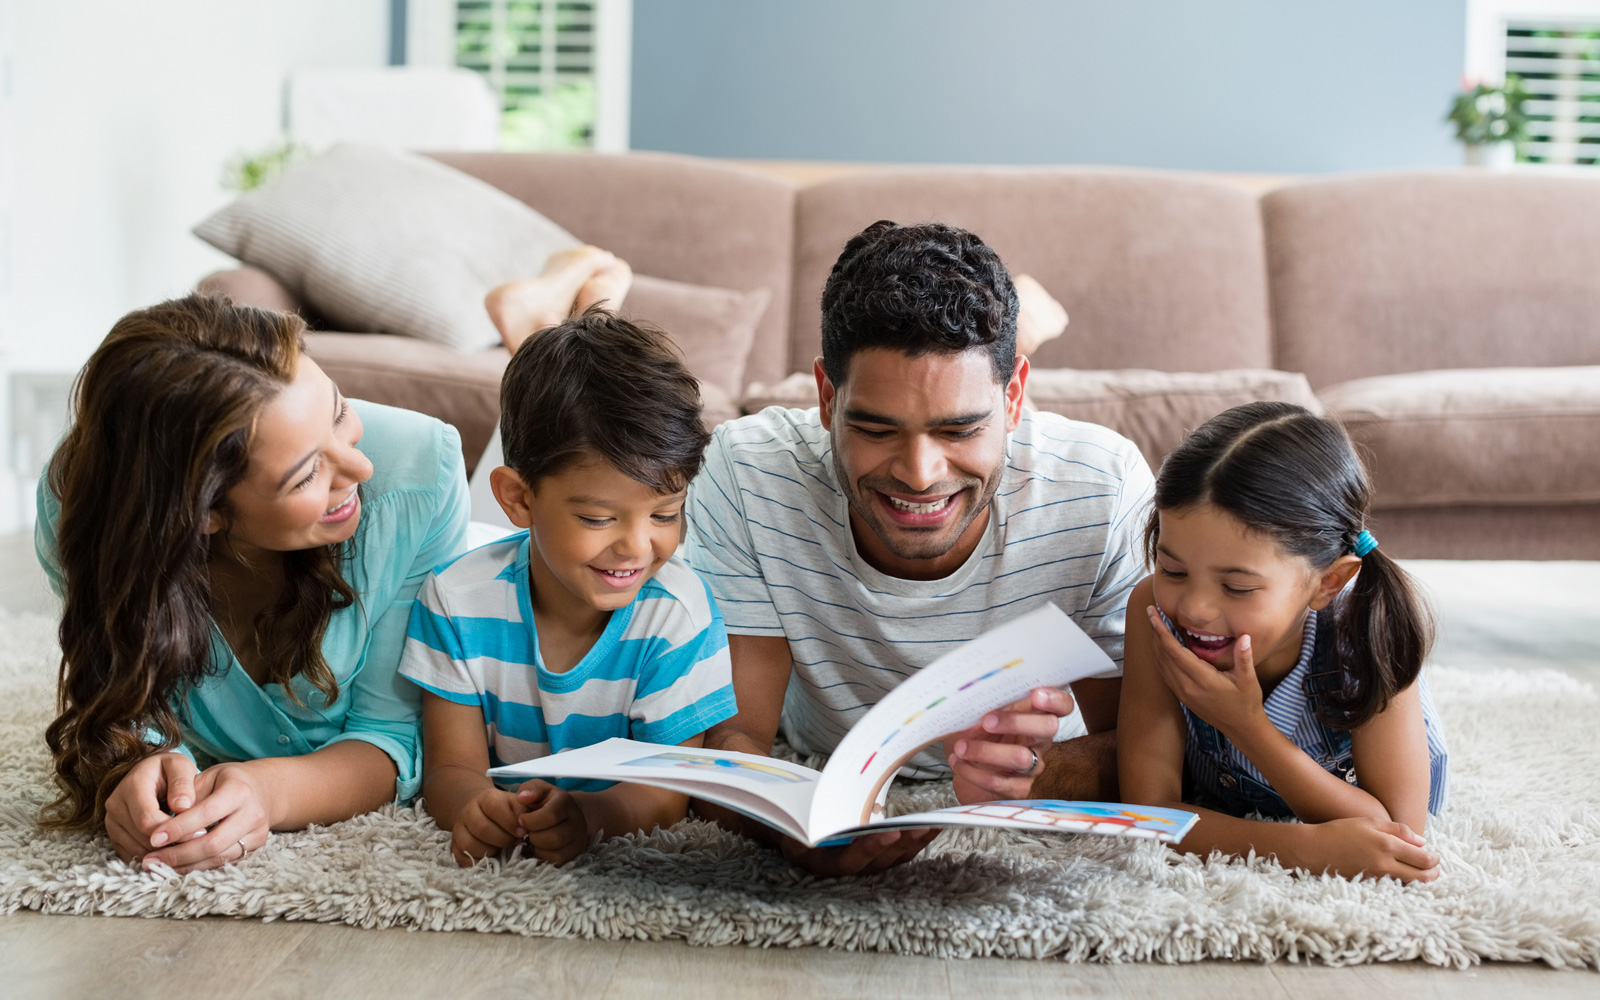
[(1286, 473)]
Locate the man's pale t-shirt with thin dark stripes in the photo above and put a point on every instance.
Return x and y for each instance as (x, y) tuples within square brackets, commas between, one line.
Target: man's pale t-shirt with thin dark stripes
[(770, 532)]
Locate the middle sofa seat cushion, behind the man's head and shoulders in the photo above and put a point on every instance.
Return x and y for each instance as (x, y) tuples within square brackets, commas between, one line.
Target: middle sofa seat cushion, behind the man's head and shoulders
[(1151, 409)]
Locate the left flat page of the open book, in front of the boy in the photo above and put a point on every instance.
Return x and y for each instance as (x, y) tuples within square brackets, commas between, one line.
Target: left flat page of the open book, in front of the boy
[(772, 791)]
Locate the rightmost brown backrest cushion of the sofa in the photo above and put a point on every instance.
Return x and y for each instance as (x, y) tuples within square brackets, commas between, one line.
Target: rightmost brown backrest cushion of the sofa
[(1418, 271)]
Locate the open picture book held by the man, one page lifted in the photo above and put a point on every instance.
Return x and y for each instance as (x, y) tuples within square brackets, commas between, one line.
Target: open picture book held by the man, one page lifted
[(846, 799)]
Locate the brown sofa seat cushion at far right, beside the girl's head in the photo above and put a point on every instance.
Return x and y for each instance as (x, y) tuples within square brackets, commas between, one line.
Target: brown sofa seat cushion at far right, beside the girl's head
[(1478, 436)]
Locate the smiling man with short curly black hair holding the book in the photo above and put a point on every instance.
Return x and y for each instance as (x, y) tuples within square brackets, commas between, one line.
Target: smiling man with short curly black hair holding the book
[(916, 508)]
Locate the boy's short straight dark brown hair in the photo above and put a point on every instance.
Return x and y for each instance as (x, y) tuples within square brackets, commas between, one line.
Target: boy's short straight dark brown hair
[(602, 386)]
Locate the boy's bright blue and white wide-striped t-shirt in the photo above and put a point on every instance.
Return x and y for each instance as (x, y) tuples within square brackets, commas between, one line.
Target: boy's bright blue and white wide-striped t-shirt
[(660, 671)]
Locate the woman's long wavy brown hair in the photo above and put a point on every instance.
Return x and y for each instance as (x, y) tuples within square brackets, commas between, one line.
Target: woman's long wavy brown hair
[(164, 418)]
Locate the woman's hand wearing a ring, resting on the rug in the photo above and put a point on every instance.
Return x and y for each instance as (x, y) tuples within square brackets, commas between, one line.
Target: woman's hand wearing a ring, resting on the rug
[(231, 820)]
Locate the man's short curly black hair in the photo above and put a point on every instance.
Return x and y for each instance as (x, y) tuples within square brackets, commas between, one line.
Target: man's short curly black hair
[(918, 289)]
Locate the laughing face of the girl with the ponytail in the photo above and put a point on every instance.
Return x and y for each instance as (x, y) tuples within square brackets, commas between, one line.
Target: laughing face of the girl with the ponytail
[(1217, 580)]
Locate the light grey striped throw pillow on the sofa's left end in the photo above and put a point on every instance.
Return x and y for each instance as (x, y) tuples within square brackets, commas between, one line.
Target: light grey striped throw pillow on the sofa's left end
[(390, 242)]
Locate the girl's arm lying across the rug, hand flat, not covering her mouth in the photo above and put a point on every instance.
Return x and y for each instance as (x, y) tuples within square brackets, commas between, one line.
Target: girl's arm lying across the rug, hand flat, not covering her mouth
[(1151, 762)]
